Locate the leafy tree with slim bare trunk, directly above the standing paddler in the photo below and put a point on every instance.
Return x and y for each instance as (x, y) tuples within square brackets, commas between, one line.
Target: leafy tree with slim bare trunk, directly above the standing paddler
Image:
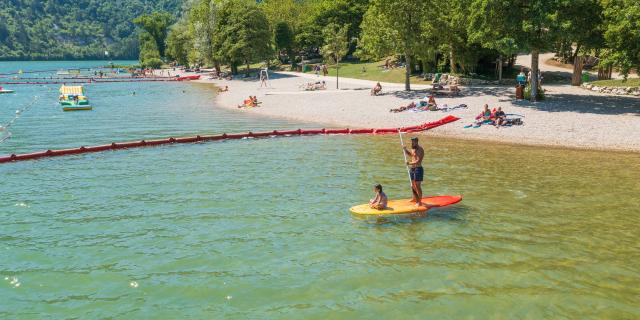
[(394, 27)]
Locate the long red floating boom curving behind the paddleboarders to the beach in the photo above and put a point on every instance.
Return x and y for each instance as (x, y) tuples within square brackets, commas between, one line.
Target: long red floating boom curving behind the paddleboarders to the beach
[(224, 136)]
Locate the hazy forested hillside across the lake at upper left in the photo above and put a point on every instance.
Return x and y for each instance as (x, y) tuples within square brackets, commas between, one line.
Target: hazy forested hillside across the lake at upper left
[(73, 29)]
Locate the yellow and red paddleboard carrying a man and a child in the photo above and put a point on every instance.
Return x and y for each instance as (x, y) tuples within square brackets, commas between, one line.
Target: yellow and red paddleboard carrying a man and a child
[(405, 206)]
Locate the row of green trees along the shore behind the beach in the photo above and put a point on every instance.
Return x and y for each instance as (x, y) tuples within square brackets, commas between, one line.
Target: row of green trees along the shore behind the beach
[(458, 36)]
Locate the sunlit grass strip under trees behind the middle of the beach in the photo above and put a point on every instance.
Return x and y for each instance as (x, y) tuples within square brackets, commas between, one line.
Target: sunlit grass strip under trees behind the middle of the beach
[(373, 71)]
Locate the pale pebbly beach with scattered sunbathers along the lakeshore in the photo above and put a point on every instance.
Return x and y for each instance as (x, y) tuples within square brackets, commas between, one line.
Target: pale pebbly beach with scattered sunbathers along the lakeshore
[(569, 117)]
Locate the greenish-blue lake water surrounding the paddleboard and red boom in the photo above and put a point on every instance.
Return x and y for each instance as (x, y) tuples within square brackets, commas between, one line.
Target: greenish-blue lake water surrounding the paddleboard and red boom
[(260, 228)]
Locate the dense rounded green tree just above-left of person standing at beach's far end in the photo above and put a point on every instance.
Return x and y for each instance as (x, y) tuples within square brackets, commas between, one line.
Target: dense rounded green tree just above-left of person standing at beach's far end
[(241, 33)]
